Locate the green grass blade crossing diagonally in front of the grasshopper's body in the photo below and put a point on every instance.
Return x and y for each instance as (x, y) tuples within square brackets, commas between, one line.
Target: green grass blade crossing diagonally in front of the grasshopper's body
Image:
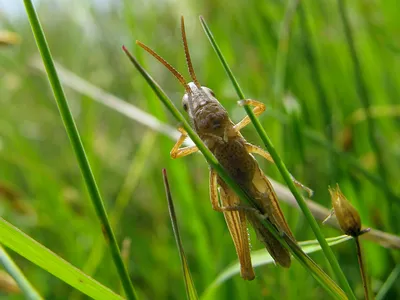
[(325, 280)]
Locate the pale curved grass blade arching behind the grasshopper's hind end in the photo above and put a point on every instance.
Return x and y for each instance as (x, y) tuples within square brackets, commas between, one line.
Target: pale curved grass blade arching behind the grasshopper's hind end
[(262, 257)]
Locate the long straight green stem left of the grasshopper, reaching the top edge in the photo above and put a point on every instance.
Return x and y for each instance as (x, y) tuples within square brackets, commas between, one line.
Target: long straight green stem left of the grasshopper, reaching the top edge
[(77, 145)]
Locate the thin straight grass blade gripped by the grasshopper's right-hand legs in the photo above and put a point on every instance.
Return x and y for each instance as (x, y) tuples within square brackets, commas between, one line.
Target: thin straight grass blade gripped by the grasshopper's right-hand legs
[(283, 170)]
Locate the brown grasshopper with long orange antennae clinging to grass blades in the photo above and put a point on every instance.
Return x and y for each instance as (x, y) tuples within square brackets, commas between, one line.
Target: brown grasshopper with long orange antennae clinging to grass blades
[(212, 123)]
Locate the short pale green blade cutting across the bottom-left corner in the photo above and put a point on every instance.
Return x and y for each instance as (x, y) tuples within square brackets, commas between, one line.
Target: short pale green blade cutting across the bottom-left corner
[(15, 272)]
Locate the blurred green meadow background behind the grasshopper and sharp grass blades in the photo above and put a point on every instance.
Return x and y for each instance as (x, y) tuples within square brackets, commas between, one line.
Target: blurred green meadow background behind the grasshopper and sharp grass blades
[(294, 58)]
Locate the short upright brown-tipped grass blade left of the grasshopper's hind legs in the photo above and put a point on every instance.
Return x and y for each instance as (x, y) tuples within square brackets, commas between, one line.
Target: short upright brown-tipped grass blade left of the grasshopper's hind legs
[(189, 284)]
